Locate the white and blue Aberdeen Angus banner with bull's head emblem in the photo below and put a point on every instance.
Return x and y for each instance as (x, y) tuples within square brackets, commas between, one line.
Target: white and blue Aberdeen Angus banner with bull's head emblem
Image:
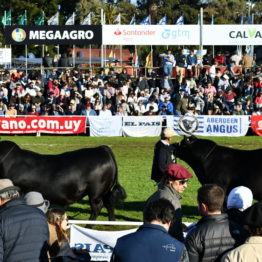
[(212, 125)]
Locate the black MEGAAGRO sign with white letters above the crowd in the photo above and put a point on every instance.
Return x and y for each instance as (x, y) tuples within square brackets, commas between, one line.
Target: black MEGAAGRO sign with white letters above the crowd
[(48, 35)]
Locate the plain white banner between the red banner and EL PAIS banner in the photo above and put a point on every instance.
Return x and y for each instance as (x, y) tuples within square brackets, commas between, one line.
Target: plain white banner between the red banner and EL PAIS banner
[(105, 126)]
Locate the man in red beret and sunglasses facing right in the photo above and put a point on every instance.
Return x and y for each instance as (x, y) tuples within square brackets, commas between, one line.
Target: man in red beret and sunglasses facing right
[(173, 182)]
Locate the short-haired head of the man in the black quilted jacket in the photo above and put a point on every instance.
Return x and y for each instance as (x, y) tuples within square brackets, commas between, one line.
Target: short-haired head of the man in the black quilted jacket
[(212, 197)]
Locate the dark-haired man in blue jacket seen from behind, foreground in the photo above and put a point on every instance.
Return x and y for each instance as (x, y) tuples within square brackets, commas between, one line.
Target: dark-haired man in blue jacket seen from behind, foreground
[(151, 242)]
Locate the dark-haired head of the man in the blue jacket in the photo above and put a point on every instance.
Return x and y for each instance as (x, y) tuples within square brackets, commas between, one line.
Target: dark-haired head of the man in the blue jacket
[(160, 210)]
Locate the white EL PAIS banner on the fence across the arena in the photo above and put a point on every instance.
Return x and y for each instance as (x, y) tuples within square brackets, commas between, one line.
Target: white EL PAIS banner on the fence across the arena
[(138, 126)]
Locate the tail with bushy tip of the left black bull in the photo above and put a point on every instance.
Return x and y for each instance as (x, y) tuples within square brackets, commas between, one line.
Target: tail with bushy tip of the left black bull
[(117, 192)]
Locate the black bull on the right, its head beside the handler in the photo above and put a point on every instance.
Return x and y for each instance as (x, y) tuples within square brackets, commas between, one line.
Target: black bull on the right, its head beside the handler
[(221, 165)]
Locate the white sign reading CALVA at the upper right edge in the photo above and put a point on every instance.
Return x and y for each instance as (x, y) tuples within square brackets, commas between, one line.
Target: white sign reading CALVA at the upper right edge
[(232, 35)]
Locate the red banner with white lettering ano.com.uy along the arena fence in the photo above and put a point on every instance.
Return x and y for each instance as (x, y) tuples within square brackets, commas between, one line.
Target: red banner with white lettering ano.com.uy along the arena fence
[(42, 124)]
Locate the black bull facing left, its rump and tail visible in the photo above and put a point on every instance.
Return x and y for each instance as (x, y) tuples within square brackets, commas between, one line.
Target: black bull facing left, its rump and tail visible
[(65, 178)]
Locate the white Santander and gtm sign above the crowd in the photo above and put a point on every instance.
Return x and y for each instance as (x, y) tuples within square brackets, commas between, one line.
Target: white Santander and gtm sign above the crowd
[(151, 35)]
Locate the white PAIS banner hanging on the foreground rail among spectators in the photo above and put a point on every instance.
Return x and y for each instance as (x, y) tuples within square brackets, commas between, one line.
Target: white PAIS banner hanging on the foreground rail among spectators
[(100, 244)]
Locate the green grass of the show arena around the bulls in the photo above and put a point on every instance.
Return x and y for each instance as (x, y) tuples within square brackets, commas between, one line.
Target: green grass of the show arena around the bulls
[(134, 159)]
